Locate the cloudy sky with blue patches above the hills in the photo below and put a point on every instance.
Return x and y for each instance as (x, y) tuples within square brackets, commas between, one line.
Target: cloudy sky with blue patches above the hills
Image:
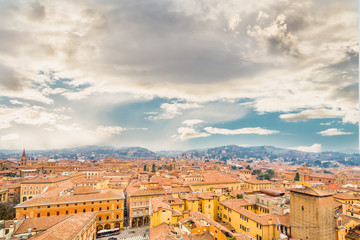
[(179, 74)]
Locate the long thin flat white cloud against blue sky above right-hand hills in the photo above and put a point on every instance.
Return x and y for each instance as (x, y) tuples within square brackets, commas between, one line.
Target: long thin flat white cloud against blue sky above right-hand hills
[(253, 130)]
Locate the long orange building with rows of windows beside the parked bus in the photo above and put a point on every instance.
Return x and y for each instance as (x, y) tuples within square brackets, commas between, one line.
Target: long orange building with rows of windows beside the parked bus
[(67, 199)]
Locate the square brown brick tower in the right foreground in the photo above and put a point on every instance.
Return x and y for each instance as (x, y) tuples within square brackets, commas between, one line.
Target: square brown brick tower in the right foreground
[(312, 214)]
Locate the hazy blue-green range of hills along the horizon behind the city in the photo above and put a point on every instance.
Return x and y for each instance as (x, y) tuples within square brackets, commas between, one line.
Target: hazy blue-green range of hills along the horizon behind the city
[(222, 153)]
